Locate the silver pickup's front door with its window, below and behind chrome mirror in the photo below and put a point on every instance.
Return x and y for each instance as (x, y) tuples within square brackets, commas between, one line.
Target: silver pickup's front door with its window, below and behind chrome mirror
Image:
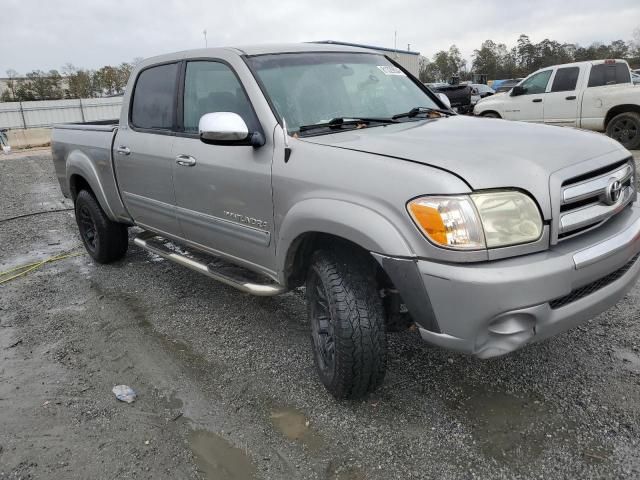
[(223, 192)]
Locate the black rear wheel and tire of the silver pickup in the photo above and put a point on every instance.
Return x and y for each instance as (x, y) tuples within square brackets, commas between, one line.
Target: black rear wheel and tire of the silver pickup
[(106, 241)]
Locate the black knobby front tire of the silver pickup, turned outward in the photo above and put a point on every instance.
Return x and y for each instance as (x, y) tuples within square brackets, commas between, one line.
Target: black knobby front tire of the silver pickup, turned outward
[(356, 322)]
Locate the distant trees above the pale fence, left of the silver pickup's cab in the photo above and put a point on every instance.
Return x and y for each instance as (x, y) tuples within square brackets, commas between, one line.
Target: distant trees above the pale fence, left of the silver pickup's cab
[(71, 83)]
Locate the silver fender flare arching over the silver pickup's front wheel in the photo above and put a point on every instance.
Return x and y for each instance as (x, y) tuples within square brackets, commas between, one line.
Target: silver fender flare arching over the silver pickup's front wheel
[(356, 223)]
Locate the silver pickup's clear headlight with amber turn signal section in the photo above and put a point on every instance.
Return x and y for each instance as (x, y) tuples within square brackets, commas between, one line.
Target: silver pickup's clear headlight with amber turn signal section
[(477, 221)]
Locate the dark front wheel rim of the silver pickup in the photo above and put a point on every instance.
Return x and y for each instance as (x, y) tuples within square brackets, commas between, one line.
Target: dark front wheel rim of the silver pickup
[(322, 327)]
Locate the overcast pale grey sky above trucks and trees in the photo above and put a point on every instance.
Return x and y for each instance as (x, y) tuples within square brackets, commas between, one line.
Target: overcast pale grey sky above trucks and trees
[(47, 34)]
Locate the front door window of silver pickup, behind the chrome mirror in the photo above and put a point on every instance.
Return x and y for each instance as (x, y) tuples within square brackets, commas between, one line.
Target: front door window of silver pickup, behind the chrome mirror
[(210, 87)]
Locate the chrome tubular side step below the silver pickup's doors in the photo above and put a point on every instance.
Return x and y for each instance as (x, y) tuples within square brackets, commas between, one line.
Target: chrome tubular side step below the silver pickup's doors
[(236, 277)]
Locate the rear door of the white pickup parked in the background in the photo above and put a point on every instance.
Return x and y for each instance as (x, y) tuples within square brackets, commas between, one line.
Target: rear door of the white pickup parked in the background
[(561, 103)]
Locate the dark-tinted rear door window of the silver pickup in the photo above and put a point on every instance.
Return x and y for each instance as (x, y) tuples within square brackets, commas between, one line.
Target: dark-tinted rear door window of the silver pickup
[(154, 98)]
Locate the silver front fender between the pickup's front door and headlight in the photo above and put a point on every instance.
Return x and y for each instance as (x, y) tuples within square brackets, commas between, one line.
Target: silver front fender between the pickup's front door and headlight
[(357, 196)]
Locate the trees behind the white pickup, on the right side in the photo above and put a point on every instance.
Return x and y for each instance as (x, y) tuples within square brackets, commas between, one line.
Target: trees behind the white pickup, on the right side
[(498, 61)]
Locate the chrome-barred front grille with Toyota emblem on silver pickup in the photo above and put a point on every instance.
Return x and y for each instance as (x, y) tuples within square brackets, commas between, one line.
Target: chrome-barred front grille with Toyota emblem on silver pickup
[(587, 201)]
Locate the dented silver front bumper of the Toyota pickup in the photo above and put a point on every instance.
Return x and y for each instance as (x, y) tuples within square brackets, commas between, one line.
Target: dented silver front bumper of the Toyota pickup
[(493, 308)]
